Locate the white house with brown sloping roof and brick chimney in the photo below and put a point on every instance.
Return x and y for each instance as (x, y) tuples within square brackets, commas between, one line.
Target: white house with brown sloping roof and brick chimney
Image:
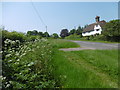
[(94, 28)]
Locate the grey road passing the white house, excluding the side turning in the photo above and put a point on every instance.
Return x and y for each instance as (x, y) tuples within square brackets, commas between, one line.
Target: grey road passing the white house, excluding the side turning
[(96, 45)]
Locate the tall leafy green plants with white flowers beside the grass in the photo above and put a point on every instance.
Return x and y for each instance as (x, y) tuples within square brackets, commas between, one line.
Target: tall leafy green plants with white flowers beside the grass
[(27, 65)]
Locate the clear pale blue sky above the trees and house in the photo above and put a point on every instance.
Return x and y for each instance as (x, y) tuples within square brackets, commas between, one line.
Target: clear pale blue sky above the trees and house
[(21, 16)]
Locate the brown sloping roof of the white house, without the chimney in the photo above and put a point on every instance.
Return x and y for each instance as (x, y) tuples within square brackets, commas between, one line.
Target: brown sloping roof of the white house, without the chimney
[(91, 26)]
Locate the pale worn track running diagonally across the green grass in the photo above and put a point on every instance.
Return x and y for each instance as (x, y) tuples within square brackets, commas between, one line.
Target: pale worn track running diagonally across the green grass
[(105, 78)]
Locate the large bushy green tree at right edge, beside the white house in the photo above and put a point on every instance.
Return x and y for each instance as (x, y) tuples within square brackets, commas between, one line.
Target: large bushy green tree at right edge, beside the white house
[(111, 30)]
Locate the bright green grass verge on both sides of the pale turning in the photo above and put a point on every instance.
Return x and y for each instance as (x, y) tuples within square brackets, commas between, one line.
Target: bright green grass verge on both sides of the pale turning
[(86, 68)]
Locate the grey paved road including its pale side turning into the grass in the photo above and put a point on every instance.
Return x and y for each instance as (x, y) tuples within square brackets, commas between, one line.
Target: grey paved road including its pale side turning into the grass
[(85, 45)]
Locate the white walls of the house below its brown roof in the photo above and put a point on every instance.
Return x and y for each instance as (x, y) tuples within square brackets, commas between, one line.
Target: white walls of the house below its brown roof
[(97, 30)]
